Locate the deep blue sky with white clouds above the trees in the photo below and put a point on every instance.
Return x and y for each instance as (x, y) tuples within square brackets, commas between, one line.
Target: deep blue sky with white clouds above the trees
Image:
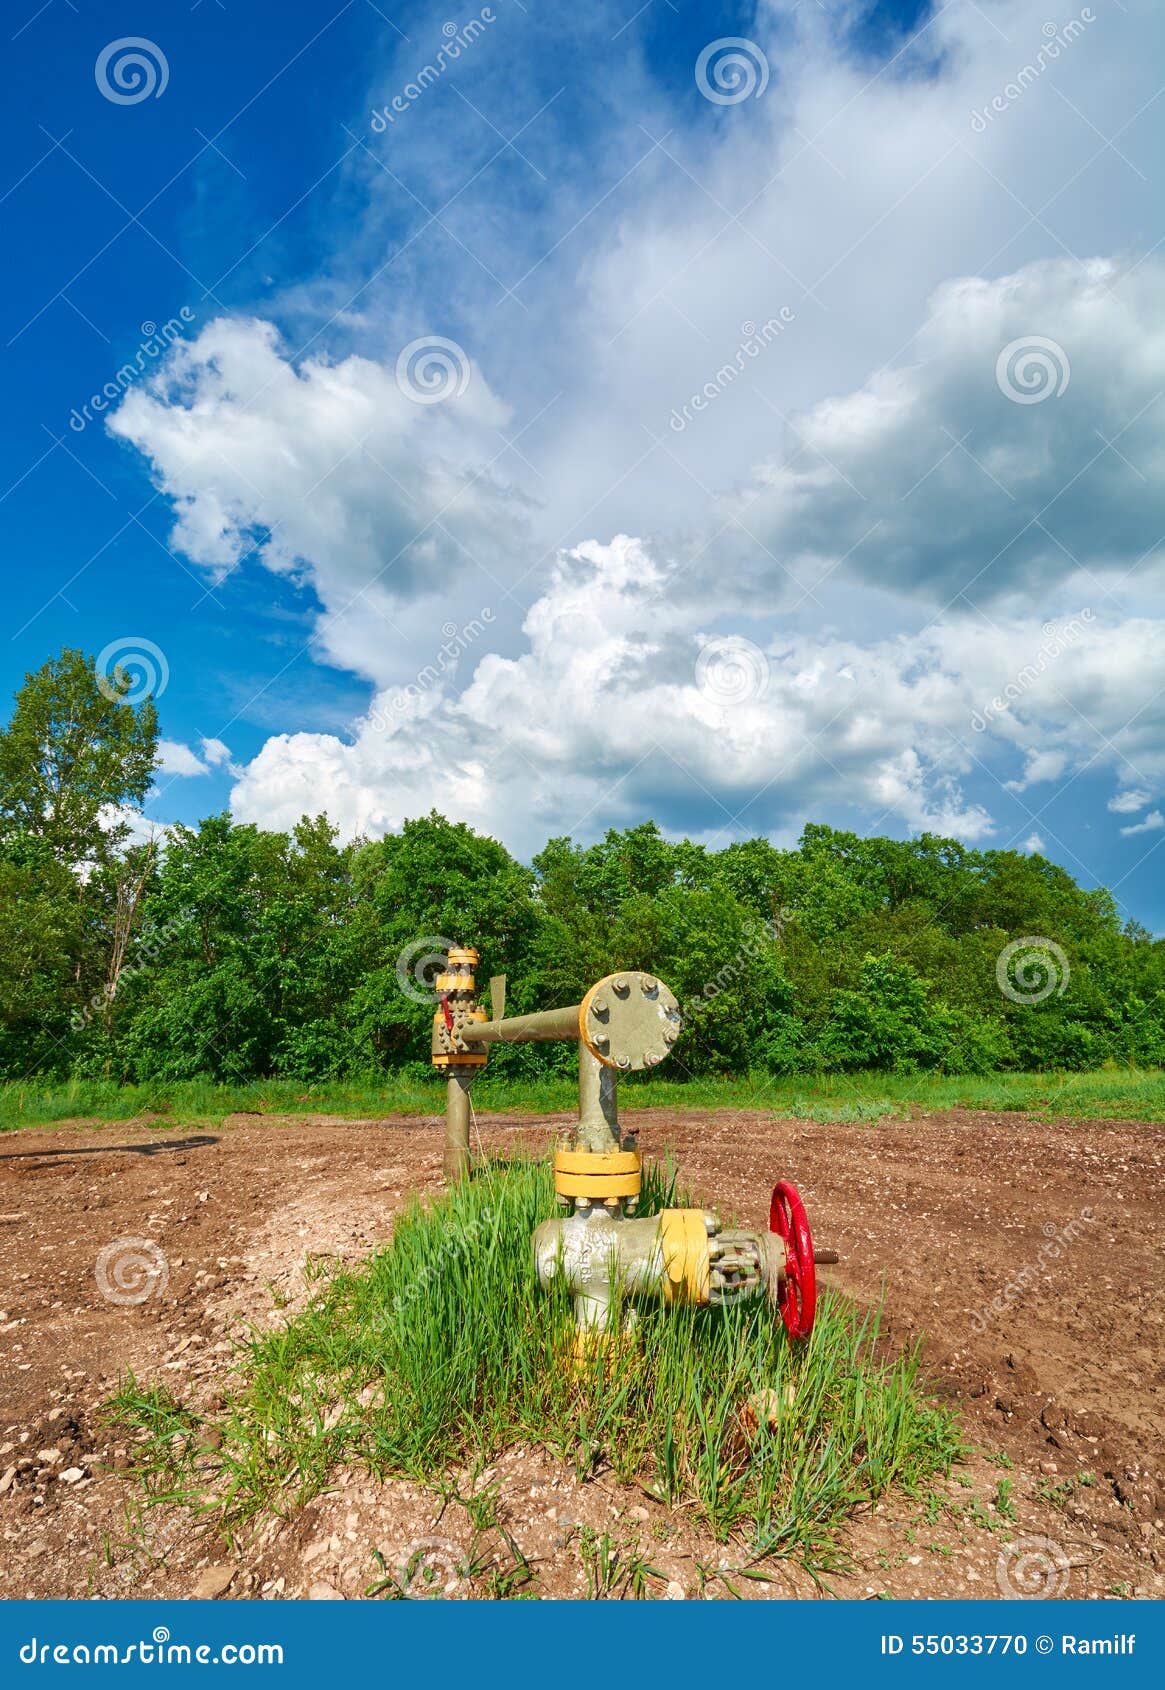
[(799, 452)]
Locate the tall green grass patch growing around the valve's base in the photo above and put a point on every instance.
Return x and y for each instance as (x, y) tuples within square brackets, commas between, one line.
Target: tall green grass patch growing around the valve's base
[(440, 1353)]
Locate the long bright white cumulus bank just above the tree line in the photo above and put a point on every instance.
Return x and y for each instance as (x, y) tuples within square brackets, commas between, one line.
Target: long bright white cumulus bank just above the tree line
[(620, 707)]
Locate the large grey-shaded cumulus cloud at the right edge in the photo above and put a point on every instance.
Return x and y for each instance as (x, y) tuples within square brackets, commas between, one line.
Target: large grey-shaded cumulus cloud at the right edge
[(941, 477)]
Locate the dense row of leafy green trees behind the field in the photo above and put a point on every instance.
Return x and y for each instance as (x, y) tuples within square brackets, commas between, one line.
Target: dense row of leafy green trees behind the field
[(231, 952)]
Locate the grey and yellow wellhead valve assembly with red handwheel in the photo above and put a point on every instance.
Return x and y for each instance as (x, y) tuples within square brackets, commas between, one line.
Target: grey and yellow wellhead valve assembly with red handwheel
[(601, 1250)]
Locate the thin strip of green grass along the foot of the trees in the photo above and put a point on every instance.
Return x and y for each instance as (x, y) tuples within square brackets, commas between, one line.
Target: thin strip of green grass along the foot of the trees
[(1108, 1093)]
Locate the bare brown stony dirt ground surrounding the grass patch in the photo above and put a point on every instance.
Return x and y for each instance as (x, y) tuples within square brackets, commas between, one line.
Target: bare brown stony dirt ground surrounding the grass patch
[(1024, 1255)]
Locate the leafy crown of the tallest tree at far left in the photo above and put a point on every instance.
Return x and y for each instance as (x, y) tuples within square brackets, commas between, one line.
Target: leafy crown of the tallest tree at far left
[(74, 755)]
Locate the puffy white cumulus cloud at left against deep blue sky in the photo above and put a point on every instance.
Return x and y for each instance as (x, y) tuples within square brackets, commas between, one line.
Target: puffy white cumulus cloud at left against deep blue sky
[(329, 474)]
